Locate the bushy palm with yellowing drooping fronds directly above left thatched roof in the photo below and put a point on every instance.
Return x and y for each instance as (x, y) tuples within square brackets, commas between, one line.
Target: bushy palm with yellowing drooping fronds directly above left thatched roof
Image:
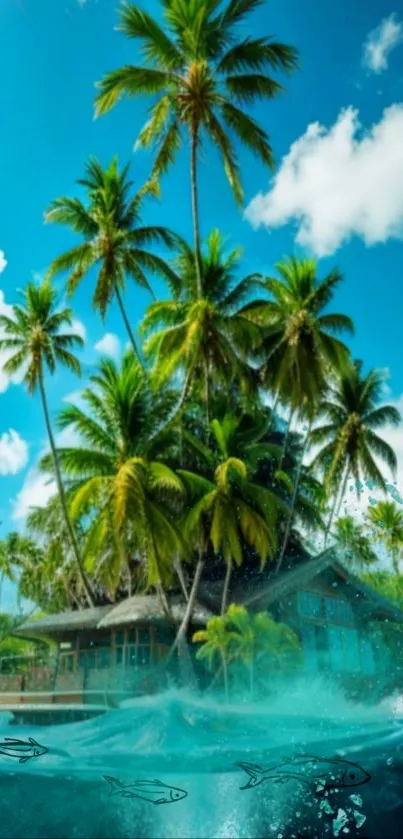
[(116, 475)]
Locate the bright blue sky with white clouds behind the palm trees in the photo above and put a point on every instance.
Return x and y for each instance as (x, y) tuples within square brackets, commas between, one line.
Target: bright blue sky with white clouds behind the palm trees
[(338, 191)]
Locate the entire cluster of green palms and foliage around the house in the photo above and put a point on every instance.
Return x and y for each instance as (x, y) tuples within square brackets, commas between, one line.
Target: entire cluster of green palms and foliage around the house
[(182, 467)]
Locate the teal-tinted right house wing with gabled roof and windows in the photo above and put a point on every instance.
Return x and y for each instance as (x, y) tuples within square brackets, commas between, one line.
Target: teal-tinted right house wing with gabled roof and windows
[(342, 623)]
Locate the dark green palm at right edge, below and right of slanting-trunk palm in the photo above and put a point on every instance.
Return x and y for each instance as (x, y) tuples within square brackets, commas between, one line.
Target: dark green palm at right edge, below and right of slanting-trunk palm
[(349, 440)]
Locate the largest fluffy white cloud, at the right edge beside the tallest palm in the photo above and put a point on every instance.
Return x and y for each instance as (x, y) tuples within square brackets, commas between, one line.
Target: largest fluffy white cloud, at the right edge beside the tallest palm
[(335, 184)]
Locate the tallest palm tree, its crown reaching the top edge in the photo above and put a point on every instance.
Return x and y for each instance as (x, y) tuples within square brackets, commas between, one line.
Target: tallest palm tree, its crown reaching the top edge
[(202, 74)]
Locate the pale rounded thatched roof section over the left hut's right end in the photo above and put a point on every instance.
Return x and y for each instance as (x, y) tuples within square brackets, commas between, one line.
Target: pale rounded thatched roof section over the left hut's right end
[(148, 608)]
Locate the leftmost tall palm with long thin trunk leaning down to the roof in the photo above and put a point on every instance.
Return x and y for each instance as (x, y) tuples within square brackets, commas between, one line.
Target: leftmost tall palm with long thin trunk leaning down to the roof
[(34, 334)]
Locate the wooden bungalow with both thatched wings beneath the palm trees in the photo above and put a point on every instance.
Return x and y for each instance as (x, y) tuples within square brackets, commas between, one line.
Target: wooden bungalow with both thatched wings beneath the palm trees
[(121, 648)]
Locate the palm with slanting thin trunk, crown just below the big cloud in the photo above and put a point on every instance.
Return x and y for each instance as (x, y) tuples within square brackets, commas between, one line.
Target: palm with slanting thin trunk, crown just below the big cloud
[(300, 348)]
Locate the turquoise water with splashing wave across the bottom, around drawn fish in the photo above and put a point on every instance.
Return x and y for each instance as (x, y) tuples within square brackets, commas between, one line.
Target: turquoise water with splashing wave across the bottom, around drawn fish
[(194, 744)]
